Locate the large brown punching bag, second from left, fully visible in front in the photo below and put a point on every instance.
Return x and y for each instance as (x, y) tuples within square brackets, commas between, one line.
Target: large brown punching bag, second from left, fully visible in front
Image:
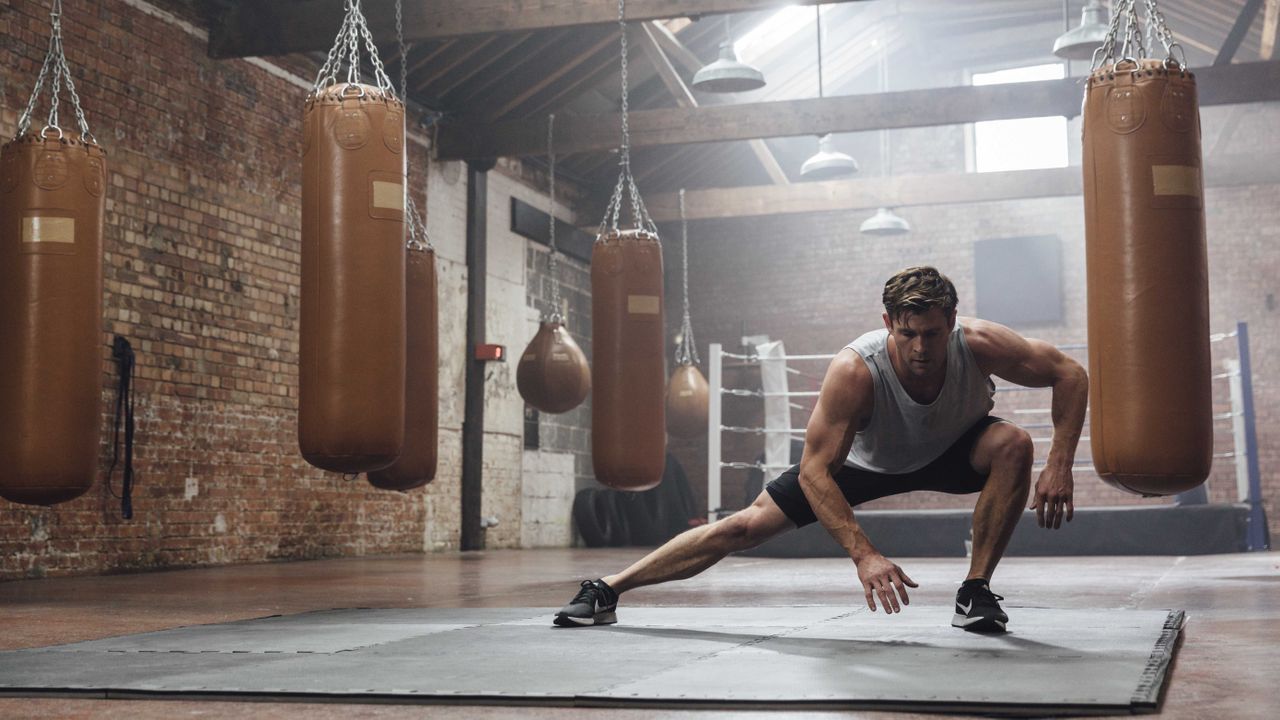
[(351, 375)]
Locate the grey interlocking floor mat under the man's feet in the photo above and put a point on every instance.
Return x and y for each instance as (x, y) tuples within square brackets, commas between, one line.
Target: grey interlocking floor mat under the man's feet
[(1054, 662)]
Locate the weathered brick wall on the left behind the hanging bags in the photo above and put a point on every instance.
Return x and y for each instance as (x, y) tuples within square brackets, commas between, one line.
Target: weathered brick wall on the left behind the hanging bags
[(202, 275)]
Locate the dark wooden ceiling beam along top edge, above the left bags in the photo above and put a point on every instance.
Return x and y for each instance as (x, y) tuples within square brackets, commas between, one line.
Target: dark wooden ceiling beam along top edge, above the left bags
[(280, 28)]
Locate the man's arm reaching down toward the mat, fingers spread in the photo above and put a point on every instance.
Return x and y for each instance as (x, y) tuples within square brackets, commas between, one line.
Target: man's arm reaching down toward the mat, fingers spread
[(844, 407)]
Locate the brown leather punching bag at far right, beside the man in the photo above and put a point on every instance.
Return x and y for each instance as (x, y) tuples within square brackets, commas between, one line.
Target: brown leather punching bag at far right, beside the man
[(1150, 395)]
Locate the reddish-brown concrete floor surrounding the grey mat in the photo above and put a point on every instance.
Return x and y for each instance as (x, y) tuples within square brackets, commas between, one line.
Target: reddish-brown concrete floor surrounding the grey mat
[(1227, 666)]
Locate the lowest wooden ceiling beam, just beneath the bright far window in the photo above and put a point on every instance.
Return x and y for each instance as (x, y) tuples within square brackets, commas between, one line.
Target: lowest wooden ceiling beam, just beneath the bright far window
[(907, 192)]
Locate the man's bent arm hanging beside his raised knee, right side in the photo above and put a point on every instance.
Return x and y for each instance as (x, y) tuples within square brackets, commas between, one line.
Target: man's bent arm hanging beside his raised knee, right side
[(1032, 363)]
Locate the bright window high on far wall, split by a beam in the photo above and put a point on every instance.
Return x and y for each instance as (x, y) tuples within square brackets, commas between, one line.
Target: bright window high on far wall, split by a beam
[(1023, 144)]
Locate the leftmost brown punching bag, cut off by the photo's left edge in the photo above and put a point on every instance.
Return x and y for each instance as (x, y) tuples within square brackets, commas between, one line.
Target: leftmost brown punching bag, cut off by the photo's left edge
[(52, 211)]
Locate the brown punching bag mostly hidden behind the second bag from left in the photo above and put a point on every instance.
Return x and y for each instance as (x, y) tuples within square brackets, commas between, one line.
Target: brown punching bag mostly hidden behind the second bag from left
[(417, 464)]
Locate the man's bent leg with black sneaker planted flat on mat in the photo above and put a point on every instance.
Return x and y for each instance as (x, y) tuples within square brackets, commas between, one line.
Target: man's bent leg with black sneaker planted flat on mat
[(1005, 453)]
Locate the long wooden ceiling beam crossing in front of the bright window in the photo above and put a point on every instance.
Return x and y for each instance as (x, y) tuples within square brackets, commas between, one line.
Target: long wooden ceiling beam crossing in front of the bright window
[(1226, 85)]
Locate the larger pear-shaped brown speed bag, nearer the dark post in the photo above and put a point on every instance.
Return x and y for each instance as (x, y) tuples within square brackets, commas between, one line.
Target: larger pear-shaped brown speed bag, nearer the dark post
[(554, 375)]
